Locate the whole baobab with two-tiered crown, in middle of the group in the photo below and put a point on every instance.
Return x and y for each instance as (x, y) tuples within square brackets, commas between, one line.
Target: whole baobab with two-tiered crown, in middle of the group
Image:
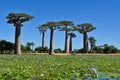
[(65, 28)]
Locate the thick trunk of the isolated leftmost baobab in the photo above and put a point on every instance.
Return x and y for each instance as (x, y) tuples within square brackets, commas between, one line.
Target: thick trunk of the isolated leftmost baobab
[(17, 46)]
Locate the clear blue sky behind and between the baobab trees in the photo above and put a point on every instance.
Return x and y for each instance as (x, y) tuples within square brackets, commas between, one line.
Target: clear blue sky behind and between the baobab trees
[(103, 14)]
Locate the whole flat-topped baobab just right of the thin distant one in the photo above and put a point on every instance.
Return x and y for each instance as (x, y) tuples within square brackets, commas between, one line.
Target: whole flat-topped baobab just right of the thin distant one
[(52, 26)]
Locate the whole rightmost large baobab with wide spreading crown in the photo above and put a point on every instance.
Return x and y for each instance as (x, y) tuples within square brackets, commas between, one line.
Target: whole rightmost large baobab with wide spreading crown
[(84, 29)]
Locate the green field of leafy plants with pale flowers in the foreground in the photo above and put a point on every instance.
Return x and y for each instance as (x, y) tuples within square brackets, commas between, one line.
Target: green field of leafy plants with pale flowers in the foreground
[(45, 67)]
